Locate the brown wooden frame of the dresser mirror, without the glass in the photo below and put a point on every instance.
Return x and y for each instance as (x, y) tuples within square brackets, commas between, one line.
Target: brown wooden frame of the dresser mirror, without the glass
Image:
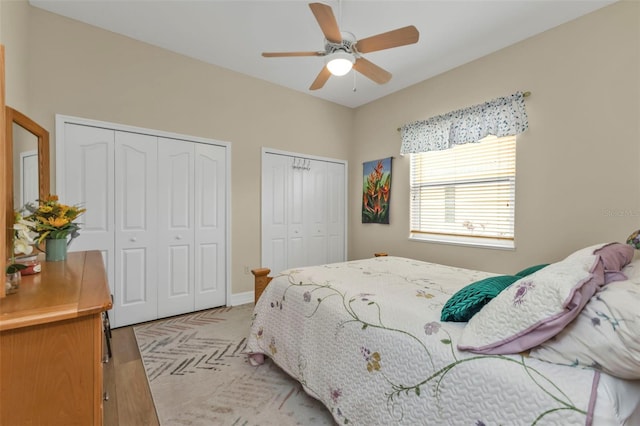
[(14, 116)]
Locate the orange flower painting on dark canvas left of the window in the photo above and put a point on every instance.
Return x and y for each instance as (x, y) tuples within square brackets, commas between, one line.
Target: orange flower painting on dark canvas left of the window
[(376, 191)]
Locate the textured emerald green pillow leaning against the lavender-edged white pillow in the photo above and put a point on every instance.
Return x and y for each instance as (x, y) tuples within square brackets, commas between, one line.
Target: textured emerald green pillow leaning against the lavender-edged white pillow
[(469, 300)]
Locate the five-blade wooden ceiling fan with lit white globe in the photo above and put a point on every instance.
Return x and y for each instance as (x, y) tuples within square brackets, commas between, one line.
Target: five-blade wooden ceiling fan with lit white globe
[(342, 51)]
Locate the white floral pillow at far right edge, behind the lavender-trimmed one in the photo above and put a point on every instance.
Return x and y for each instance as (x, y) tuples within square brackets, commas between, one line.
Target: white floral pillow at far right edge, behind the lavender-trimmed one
[(605, 334)]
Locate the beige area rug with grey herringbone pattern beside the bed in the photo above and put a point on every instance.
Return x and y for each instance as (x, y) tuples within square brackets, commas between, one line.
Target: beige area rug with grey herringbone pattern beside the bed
[(199, 375)]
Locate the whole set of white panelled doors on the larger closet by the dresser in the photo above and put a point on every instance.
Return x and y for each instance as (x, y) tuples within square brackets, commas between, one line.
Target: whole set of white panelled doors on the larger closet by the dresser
[(156, 209)]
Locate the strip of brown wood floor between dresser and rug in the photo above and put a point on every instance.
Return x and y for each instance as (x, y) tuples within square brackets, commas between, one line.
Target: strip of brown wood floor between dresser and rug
[(130, 400)]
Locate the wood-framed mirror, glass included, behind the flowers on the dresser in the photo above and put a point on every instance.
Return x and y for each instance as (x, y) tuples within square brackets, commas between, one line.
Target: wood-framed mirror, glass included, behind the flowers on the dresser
[(27, 163)]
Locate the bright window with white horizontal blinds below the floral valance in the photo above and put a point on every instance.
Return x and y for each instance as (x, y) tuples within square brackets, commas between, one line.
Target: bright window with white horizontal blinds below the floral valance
[(425, 227)]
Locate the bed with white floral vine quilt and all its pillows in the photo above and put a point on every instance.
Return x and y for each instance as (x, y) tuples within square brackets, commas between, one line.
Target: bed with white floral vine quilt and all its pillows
[(367, 338)]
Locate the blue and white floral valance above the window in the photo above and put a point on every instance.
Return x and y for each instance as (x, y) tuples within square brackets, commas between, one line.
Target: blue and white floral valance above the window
[(500, 117)]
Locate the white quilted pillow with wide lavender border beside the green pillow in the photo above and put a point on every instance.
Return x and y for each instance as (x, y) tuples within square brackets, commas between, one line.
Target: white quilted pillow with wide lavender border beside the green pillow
[(538, 306)]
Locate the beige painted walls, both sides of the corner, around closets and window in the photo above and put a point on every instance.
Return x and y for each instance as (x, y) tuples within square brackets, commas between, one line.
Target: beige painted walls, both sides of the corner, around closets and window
[(577, 180)]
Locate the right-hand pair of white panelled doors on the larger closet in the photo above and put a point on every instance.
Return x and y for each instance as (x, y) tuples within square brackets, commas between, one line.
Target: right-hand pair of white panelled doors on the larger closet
[(191, 229)]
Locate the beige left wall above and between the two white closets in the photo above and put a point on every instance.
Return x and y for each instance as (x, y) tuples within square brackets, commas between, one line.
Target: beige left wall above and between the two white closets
[(78, 70)]
